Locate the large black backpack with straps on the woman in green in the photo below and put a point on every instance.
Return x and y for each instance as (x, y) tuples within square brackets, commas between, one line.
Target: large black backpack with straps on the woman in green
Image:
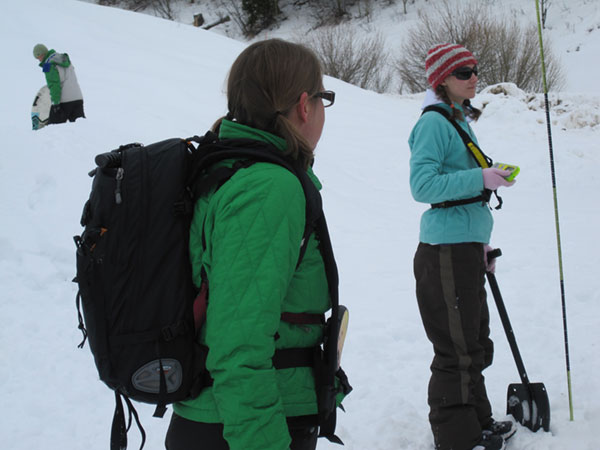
[(135, 279)]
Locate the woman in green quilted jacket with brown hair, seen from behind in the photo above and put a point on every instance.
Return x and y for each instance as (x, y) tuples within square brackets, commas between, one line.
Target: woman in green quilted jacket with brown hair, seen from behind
[(246, 237)]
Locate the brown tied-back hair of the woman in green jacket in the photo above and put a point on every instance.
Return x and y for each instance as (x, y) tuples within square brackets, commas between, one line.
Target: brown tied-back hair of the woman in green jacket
[(265, 82)]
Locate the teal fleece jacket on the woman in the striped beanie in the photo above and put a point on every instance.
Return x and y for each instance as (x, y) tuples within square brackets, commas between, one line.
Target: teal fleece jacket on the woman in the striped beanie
[(441, 168)]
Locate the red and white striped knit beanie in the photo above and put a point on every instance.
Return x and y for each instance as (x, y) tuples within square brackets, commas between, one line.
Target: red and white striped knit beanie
[(443, 59)]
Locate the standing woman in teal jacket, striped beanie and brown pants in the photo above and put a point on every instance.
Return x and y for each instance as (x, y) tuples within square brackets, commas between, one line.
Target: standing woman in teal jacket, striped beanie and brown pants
[(450, 261)]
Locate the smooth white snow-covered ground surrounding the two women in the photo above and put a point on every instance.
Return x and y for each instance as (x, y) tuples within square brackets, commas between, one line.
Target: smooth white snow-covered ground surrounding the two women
[(146, 79)]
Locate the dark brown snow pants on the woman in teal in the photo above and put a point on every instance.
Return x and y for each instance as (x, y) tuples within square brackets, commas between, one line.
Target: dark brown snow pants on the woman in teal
[(452, 302)]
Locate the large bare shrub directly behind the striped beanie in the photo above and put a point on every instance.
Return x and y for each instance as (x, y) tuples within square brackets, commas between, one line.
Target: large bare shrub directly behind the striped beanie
[(505, 50)]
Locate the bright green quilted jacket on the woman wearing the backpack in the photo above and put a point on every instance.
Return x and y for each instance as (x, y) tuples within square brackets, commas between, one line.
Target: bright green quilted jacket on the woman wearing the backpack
[(253, 226)]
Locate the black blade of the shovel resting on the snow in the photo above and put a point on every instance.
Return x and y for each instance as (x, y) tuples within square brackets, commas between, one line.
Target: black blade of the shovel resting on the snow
[(529, 405)]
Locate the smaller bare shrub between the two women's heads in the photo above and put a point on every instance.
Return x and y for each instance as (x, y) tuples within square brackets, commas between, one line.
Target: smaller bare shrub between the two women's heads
[(356, 60)]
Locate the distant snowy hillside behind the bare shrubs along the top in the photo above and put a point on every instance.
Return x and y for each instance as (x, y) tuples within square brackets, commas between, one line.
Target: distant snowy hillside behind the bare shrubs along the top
[(572, 29)]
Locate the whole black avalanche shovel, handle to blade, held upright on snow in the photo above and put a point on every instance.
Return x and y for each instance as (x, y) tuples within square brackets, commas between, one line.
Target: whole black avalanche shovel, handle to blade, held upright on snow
[(526, 402)]
